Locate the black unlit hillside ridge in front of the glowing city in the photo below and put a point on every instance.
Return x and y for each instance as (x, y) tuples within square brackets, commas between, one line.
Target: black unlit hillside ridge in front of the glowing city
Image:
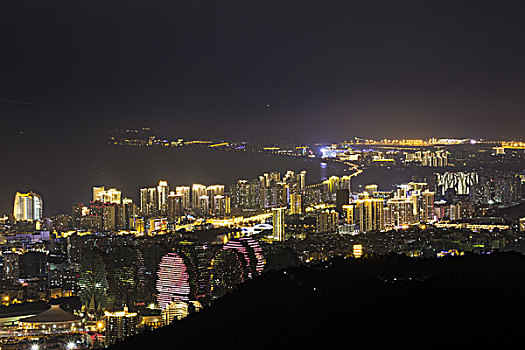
[(386, 300)]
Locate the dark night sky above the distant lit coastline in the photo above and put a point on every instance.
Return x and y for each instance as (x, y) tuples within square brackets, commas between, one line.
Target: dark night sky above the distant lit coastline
[(328, 69)]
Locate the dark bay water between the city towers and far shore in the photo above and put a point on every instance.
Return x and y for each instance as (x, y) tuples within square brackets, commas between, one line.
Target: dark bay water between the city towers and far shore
[(64, 169)]
